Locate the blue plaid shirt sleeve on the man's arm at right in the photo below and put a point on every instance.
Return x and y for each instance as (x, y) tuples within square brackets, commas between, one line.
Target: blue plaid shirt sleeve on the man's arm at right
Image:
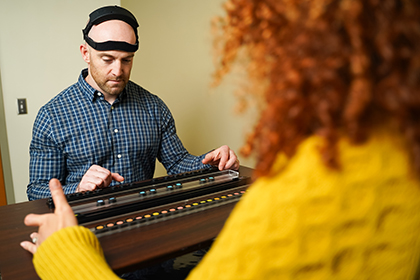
[(172, 154)]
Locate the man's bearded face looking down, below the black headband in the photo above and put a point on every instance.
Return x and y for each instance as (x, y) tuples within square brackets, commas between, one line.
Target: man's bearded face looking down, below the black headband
[(110, 70)]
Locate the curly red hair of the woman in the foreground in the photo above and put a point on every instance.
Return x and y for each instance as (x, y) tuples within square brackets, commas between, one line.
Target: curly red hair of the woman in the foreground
[(330, 68)]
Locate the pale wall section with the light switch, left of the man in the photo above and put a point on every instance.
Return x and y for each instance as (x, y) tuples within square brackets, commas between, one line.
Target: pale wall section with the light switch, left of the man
[(39, 57)]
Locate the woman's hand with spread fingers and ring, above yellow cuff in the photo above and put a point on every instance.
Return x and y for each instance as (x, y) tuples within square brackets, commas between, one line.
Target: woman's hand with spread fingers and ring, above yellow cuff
[(49, 223)]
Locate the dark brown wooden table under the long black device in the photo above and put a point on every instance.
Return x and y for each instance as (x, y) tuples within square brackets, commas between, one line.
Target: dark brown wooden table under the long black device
[(124, 251)]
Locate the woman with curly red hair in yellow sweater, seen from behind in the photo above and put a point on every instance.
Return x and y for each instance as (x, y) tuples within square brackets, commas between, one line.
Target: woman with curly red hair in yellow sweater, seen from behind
[(338, 148)]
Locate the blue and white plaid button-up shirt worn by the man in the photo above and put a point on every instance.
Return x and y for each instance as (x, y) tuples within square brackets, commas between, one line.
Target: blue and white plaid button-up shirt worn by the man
[(79, 128)]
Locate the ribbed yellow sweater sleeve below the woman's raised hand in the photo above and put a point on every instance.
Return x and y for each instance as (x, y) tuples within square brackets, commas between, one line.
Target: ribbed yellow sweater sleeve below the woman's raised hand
[(72, 253)]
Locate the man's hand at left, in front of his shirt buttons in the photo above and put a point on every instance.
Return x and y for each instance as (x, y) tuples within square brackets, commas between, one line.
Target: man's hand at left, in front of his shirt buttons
[(97, 177)]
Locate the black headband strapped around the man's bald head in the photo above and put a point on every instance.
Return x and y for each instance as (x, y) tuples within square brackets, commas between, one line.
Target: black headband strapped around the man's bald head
[(110, 13)]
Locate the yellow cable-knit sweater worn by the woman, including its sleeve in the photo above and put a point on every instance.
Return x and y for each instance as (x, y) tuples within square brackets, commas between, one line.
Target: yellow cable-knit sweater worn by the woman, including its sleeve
[(306, 222)]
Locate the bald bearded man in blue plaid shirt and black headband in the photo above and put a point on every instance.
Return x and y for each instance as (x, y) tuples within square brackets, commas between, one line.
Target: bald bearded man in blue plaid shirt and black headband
[(105, 129)]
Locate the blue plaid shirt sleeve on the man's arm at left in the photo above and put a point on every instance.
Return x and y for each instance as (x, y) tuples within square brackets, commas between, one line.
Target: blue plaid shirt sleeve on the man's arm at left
[(47, 159)]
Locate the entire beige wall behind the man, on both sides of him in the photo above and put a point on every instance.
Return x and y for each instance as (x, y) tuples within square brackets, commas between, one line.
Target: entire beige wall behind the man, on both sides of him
[(39, 57)]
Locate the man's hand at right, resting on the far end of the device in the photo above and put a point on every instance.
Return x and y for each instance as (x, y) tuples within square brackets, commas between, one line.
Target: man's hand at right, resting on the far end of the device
[(222, 157)]
